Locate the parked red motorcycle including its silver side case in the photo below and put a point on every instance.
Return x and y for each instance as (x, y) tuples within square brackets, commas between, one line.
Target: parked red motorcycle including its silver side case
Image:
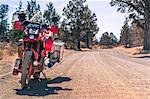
[(35, 53)]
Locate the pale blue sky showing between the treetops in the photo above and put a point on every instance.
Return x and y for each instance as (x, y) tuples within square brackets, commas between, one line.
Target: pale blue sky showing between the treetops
[(109, 20)]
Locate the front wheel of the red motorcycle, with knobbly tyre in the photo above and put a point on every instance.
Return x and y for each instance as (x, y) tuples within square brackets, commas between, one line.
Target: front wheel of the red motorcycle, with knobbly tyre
[(26, 64)]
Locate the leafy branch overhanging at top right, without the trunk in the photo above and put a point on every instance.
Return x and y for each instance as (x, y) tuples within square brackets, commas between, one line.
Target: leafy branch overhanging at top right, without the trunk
[(135, 8)]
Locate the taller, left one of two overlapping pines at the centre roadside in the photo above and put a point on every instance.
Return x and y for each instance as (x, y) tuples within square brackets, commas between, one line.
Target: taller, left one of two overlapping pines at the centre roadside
[(73, 20)]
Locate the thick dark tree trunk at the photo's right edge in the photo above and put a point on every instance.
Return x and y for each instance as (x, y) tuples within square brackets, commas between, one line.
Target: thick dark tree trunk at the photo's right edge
[(147, 29)]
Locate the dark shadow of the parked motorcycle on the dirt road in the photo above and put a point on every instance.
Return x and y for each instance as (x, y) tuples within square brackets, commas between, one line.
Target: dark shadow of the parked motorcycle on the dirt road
[(41, 88)]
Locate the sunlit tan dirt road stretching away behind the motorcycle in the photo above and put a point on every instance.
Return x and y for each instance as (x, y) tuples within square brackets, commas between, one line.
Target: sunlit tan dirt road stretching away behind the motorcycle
[(99, 74)]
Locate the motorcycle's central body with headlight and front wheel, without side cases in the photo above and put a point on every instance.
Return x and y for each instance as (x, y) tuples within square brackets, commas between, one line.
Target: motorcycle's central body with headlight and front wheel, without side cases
[(32, 62)]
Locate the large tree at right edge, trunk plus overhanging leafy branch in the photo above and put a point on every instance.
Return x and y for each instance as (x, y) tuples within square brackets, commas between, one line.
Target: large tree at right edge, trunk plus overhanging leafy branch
[(137, 9)]
